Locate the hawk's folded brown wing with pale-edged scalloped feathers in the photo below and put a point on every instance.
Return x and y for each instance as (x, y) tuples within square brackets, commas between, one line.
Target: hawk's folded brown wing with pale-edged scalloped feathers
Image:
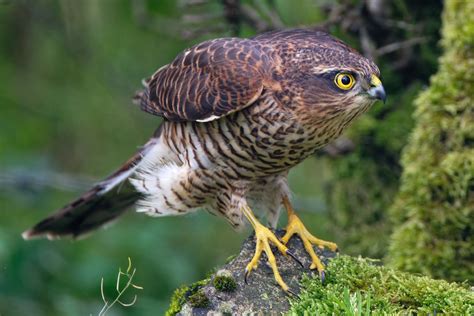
[(207, 81)]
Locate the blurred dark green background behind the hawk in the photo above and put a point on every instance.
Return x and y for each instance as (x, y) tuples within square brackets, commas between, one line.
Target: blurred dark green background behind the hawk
[(68, 70)]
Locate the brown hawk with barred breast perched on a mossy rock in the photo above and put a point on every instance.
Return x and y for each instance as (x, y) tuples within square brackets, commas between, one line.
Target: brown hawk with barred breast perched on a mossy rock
[(237, 115)]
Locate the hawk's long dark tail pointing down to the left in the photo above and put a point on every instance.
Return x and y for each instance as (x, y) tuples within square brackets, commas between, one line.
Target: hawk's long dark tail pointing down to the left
[(103, 203)]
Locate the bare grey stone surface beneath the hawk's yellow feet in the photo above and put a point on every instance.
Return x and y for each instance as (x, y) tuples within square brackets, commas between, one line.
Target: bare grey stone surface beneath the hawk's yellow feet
[(261, 295)]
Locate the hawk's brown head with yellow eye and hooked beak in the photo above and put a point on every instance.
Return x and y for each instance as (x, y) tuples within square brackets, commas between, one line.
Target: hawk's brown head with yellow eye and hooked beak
[(330, 78)]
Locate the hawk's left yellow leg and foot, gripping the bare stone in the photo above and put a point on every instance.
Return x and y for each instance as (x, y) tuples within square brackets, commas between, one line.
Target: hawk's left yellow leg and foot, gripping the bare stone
[(263, 237)]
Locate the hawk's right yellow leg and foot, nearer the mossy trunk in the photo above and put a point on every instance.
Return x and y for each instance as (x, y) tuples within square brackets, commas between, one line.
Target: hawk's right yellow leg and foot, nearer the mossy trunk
[(296, 226)]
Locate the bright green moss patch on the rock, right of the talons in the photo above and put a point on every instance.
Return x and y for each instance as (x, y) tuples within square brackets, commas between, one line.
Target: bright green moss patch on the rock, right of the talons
[(356, 286)]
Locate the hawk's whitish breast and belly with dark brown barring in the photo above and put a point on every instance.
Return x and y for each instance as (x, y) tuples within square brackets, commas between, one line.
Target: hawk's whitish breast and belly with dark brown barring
[(217, 164)]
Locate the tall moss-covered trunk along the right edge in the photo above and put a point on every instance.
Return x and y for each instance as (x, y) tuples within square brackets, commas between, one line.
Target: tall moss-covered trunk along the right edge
[(434, 211)]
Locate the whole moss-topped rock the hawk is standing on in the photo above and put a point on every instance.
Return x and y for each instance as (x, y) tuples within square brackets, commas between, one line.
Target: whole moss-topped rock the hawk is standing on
[(352, 285)]
